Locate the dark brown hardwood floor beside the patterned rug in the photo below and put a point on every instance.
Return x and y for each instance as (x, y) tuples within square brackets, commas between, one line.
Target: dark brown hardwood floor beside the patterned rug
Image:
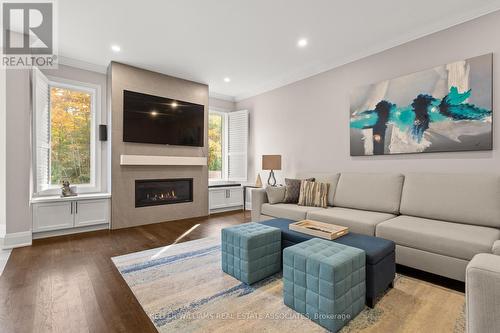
[(69, 284)]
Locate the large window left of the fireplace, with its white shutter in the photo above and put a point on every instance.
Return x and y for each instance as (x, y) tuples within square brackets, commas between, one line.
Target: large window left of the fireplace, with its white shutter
[(65, 120)]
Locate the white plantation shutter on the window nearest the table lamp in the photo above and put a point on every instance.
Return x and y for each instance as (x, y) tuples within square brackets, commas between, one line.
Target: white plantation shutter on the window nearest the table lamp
[(237, 145)]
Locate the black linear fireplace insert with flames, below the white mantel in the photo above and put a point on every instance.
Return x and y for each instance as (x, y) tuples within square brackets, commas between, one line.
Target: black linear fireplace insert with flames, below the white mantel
[(154, 192)]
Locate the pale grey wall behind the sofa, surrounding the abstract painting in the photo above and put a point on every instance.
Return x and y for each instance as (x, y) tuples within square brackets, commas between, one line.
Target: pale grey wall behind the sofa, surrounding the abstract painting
[(307, 122)]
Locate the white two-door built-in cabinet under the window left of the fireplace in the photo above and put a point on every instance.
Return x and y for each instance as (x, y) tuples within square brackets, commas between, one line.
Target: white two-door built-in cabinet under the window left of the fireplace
[(64, 214)]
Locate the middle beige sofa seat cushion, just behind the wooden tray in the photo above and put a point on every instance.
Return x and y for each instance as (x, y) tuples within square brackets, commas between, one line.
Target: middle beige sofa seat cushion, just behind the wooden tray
[(358, 221)]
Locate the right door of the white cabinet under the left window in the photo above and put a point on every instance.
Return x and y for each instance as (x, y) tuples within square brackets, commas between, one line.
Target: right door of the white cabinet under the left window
[(90, 212)]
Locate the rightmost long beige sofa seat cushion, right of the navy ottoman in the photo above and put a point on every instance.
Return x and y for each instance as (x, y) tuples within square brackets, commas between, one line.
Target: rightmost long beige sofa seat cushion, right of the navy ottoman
[(461, 241)]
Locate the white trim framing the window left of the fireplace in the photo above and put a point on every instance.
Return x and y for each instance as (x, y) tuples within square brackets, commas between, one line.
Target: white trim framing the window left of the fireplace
[(94, 90)]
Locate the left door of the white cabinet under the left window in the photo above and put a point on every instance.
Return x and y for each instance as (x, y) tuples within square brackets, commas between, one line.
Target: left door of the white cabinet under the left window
[(52, 216)]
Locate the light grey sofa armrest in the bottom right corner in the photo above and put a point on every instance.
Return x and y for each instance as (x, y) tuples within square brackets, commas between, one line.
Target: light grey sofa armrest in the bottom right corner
[(482, 292)]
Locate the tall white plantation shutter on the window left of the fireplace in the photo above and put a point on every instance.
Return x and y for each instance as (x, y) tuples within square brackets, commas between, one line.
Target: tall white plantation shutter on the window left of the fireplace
[(41, 113)]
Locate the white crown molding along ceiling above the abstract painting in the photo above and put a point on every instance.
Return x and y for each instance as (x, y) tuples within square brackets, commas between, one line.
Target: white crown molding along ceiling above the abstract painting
[(309, 71)]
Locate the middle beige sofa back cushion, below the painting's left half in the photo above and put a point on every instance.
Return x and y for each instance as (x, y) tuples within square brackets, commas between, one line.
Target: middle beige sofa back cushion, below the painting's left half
[(379, 192)]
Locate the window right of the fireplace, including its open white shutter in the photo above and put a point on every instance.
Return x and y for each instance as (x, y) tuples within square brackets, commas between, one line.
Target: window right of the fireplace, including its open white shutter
[(228, 141)]
